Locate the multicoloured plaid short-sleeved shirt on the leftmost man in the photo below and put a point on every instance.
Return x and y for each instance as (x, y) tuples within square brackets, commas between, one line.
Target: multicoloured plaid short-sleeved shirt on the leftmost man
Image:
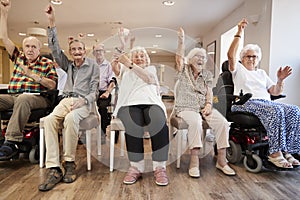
[(19, 82)]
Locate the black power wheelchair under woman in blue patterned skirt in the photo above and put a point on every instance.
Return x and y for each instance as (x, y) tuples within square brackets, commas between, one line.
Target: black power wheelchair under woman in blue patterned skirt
[(248, 139)]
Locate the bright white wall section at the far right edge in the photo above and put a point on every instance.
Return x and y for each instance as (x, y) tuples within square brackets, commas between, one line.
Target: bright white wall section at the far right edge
[(285, 45)]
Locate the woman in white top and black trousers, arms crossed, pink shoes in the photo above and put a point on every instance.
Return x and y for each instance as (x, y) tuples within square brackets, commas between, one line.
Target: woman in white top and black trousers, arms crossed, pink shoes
[(139, 105)]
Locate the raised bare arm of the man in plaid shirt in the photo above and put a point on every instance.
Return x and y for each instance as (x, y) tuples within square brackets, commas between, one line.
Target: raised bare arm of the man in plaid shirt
[(9, 45)]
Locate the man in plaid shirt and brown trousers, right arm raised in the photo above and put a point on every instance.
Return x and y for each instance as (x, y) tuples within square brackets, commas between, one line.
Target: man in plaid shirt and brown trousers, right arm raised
[(31, 74)]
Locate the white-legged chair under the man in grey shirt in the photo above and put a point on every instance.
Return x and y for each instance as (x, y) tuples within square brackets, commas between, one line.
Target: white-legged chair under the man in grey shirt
[(85, 126)]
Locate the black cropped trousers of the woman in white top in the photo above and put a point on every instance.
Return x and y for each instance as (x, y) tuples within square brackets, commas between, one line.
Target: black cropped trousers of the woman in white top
[(135, 119)]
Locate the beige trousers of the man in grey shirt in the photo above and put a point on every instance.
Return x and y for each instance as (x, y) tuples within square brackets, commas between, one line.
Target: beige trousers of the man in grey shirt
[(62, 114)]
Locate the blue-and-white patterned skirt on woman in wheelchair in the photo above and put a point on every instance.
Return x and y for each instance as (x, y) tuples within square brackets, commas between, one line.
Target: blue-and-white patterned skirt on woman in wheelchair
[(281, 121)]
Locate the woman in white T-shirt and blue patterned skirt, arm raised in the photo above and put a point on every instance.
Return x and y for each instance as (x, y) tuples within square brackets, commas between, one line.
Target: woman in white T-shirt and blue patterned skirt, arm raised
[(281, 121)]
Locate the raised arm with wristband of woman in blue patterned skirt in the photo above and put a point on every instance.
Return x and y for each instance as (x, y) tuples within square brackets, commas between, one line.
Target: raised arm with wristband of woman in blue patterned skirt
[(232, 52)]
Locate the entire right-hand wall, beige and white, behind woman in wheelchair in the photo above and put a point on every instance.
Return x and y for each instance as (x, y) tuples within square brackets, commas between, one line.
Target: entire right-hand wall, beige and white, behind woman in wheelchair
[(276, 33)]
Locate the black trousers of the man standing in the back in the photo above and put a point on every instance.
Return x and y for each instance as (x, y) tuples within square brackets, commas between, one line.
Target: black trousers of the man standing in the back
[(102, 105)]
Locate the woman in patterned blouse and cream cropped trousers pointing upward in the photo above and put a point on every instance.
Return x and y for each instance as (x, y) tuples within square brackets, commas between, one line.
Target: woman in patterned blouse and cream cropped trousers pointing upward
[(194, 103)]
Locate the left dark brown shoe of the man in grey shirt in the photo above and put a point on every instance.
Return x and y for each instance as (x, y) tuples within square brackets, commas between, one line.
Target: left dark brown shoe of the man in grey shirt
[(54, 176)]
